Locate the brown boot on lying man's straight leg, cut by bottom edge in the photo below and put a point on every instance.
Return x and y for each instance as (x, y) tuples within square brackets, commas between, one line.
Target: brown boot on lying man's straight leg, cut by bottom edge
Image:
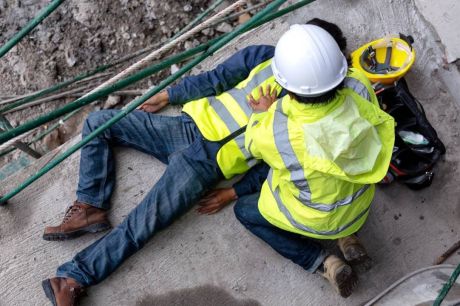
[(62, 291)]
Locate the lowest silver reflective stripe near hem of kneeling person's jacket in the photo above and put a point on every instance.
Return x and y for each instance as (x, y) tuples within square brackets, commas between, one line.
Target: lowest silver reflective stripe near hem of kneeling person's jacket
[(303, 227)]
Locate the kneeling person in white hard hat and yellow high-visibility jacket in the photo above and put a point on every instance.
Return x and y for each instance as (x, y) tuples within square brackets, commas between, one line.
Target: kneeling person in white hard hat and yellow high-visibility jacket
[(327, 143)]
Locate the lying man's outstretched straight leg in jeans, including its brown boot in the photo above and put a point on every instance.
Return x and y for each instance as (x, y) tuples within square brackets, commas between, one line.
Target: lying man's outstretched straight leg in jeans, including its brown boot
[(185, 180)]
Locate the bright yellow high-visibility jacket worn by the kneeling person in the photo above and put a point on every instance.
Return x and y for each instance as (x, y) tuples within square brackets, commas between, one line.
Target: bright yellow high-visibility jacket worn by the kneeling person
[(324, 160)]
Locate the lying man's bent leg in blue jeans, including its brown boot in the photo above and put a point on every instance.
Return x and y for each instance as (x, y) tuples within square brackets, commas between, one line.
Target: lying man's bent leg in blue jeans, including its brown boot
[(153, 134)]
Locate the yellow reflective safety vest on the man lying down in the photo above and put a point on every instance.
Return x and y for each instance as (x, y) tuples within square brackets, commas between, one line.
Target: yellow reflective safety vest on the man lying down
[(218, 117)]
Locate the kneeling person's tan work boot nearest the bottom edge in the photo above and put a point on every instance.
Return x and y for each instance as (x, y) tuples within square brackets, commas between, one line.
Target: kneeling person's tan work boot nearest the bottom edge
[(340, 275)]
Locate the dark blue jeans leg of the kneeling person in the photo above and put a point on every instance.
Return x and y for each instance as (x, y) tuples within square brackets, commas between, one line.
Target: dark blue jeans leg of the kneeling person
[(301, 250)]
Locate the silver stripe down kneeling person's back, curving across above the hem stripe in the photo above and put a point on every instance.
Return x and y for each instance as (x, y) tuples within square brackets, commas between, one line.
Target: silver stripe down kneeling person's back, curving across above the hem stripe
[(297, 173)]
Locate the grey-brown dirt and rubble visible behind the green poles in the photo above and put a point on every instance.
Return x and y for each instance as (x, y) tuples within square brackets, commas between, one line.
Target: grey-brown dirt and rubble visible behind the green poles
[(81, 35)]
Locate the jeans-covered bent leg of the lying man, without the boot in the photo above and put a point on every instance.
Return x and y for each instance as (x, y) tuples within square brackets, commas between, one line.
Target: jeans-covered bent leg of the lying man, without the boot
[(152, 134)]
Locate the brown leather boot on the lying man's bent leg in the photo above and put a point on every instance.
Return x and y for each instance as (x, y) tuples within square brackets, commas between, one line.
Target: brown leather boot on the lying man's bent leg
[(79, 219)]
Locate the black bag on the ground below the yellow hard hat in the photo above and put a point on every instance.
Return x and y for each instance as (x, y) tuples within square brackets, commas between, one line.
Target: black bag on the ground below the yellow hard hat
[(417, 145)]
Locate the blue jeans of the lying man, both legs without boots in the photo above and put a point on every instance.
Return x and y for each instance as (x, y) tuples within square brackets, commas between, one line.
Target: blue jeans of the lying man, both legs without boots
[(191, 170)]
